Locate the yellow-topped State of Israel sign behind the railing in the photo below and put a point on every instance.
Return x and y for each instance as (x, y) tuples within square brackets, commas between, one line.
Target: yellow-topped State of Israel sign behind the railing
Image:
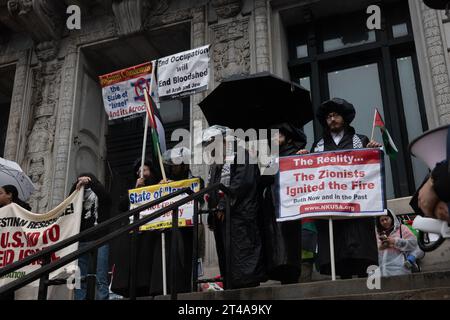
[(144, 195)]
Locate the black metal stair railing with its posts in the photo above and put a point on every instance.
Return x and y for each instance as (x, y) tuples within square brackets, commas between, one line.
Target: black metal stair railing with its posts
[(48, 266)]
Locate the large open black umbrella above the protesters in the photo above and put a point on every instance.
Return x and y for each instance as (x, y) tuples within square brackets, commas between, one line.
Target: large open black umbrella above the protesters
[(257, 101)]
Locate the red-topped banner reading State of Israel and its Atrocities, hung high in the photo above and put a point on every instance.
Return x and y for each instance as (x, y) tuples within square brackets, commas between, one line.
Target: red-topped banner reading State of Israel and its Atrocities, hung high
[(123, 90)]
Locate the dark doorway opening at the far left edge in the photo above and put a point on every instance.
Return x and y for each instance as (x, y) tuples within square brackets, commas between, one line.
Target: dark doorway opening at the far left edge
[(6, 88)]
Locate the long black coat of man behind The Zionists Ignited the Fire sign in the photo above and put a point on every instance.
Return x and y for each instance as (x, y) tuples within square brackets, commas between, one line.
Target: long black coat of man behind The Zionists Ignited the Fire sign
[(355, 245)]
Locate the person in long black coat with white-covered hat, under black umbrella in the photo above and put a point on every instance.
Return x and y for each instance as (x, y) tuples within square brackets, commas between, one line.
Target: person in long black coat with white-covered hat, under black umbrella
[(247, 267)]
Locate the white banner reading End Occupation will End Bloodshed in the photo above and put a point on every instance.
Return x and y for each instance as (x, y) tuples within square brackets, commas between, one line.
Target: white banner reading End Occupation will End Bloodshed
[(183, 73)]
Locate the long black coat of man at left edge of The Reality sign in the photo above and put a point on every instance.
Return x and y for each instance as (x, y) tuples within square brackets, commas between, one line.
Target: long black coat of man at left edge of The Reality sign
[(282, 240)]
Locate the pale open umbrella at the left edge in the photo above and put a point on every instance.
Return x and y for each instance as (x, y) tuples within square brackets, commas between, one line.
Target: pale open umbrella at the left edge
[(11, 173)]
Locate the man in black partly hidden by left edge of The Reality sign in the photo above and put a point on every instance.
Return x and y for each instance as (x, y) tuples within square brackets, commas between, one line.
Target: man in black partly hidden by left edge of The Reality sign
[(282, 240)]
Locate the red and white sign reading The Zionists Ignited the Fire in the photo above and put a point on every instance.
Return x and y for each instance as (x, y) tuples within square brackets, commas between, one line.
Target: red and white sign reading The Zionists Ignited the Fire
[(346, 183)]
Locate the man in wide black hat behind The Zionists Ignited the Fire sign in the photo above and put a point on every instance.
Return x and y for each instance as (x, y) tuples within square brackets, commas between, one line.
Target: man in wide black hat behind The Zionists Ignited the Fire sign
[(354, 240)]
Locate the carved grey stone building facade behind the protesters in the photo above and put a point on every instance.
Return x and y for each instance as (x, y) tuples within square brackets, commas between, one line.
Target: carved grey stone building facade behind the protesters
[(48, 72)]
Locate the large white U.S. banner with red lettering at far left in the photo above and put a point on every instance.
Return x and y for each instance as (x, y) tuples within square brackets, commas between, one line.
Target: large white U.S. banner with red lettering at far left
[(23, 233)]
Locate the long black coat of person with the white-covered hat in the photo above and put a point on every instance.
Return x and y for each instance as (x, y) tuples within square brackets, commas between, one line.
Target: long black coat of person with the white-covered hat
[(247, 267)]
